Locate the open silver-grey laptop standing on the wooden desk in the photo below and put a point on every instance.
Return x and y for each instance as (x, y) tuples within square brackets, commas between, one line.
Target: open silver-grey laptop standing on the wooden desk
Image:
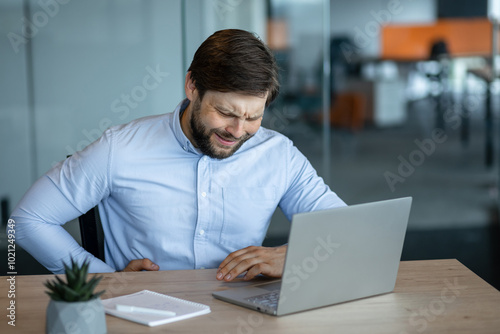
[(333, 256)]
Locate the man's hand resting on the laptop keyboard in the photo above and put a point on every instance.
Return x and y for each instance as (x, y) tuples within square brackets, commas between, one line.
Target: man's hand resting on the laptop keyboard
[(254, 260)]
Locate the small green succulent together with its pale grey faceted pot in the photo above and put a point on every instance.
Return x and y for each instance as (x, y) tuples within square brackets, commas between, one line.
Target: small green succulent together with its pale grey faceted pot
[(73, 306)]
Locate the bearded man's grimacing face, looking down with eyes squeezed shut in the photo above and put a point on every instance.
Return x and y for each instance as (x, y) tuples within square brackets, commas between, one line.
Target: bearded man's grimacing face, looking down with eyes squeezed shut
[(222, 122)]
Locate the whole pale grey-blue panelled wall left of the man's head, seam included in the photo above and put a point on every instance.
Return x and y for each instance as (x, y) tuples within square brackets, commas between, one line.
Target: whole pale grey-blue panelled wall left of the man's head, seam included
[(92, 68)]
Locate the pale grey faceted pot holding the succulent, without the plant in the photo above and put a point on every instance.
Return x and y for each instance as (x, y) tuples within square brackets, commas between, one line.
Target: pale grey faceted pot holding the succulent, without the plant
[(75, 317)]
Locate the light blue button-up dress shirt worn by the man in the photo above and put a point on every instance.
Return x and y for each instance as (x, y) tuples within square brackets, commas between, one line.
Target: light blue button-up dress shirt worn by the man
[(160, 198)]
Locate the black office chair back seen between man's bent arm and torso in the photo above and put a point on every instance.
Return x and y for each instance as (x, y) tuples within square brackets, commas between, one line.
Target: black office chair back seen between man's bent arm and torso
[(92, 233)]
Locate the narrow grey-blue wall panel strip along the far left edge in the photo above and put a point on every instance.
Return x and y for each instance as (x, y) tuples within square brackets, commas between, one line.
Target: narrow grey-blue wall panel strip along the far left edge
[(15, 145)]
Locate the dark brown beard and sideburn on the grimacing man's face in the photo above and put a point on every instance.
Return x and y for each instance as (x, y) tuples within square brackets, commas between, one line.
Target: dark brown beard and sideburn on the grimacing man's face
[(201, 136)]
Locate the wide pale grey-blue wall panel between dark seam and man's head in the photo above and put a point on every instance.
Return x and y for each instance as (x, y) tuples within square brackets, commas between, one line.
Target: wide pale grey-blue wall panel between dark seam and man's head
[(92, 69)]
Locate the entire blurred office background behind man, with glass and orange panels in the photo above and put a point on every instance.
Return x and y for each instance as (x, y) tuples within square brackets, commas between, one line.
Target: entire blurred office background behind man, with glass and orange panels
[(386, 98)]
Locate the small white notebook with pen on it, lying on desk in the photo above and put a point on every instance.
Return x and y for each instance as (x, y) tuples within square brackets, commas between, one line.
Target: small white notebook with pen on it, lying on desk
[(183, 309)]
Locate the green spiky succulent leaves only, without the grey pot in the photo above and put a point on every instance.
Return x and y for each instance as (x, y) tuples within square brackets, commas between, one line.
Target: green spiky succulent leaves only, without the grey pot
[(77, 288)]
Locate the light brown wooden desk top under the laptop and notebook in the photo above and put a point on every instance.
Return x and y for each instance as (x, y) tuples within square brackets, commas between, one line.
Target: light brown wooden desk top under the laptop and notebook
[(430, 297)]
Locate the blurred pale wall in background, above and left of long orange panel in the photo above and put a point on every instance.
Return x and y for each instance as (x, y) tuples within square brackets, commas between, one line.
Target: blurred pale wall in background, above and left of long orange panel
[(362, 19)]
